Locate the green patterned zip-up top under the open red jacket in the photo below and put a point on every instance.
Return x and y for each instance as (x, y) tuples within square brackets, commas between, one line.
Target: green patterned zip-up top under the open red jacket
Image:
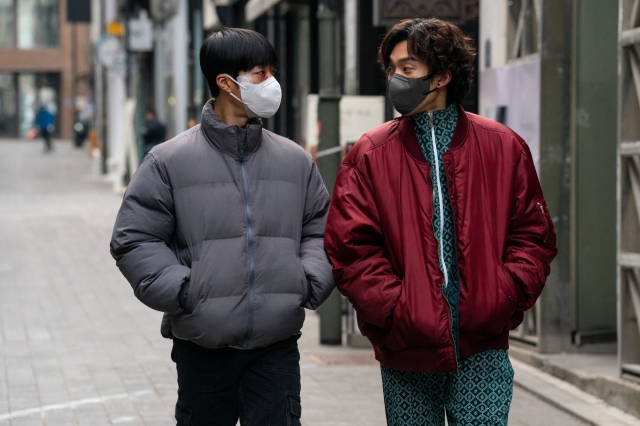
[(444, 124)]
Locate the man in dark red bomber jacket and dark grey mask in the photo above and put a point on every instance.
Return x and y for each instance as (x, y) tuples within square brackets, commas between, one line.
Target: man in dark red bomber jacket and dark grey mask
[(440, 237)]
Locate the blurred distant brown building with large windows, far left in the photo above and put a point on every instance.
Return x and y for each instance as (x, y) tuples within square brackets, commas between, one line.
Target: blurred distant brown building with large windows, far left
[(43, 60)]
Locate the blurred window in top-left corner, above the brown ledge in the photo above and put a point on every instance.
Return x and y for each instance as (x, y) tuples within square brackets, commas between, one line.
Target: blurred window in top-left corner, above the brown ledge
[(28, 24)]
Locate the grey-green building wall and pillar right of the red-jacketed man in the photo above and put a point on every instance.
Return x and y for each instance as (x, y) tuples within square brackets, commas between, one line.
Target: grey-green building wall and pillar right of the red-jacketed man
[(549, 71)]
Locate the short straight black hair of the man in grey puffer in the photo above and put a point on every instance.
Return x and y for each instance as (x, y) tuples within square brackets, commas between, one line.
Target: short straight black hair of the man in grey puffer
[(232, 50)]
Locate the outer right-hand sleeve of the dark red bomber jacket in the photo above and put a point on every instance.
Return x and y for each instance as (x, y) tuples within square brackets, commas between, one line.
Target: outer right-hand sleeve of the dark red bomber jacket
[(531, 244)]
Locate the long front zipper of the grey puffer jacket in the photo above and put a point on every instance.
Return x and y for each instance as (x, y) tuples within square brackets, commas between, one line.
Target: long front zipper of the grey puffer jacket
[(250, 237)]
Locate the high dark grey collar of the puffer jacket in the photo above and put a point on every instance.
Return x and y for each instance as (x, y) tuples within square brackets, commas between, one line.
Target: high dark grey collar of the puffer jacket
[(227, 139)]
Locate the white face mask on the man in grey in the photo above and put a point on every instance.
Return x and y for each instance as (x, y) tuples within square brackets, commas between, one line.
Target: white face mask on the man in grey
[(260, 100)]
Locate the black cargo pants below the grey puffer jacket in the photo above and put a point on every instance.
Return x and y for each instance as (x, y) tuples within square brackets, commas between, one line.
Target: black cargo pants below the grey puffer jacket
[(261, 387)]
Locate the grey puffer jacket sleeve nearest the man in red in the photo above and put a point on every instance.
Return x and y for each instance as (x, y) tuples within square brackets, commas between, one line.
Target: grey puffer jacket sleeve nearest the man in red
[(312, 254)]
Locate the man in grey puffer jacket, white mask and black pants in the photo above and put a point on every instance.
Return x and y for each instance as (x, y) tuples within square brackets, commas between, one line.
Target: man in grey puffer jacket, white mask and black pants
[(221, 228)]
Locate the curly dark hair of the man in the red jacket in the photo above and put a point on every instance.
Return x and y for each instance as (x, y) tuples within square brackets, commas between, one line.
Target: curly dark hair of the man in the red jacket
[(441, 44)]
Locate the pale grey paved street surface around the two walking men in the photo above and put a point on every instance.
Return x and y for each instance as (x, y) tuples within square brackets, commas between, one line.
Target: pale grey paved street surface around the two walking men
[(76, 346)]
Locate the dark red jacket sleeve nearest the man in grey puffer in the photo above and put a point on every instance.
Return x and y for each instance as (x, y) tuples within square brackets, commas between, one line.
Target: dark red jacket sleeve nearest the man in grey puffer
[(353, 242)]
